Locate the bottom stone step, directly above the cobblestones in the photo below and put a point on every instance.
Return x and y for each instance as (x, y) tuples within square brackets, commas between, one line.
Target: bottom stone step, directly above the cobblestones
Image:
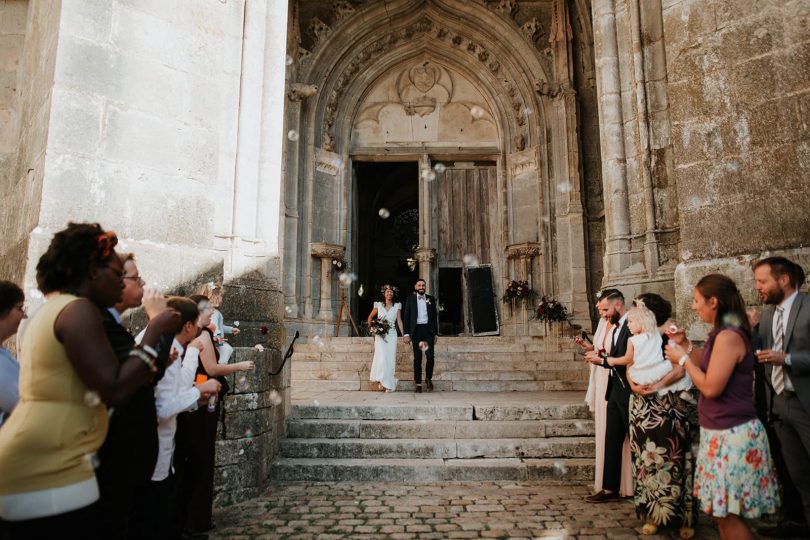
[(563, 470)]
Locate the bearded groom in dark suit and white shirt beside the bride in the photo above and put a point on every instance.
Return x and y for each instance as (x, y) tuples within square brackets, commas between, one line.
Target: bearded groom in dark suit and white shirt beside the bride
[(421, 328)]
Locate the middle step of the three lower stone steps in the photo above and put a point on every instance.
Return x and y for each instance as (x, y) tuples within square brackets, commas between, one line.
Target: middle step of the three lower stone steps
[(546, 447)]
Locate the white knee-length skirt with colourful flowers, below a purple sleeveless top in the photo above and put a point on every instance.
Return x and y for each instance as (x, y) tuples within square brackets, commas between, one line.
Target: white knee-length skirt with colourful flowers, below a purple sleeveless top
[(735, 472)]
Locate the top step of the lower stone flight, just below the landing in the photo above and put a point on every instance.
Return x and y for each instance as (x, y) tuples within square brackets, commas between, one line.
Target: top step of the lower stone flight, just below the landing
[(437, 429)]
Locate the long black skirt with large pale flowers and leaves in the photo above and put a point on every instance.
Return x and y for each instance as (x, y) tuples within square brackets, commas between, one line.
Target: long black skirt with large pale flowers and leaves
[(663, 464)]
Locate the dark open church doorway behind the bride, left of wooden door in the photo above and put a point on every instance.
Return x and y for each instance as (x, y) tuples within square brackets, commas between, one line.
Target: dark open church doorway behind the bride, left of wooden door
[(386, 229)]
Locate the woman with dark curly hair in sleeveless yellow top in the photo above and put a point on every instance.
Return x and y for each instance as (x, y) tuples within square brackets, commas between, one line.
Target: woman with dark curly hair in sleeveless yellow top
[(69, 375)]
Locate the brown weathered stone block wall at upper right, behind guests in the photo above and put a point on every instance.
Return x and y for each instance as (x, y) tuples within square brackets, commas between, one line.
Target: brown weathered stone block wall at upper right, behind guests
[(739, 87)]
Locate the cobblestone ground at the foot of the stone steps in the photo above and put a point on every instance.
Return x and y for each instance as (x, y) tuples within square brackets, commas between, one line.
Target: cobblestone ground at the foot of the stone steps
[(449, 510)]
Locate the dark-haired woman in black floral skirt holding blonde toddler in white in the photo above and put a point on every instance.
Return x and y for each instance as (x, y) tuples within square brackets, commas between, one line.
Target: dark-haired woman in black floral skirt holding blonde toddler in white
[(663, 417)]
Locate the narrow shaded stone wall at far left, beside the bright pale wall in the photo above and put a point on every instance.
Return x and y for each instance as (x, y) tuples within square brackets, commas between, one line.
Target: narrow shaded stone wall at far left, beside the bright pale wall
[(26, 79)]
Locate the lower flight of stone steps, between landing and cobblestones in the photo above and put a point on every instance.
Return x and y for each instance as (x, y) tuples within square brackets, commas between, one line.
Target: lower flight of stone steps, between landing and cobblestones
[(455, 436)]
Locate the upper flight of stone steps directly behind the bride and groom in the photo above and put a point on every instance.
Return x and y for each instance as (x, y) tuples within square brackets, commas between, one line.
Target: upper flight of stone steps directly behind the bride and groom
[(466, 364)]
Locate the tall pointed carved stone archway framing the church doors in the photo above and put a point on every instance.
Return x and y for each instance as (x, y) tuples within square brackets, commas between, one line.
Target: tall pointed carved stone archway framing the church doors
[(524, 90)]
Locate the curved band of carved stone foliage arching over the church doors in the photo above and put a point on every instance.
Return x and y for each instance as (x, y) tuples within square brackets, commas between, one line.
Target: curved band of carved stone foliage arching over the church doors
[(365, 56)]
